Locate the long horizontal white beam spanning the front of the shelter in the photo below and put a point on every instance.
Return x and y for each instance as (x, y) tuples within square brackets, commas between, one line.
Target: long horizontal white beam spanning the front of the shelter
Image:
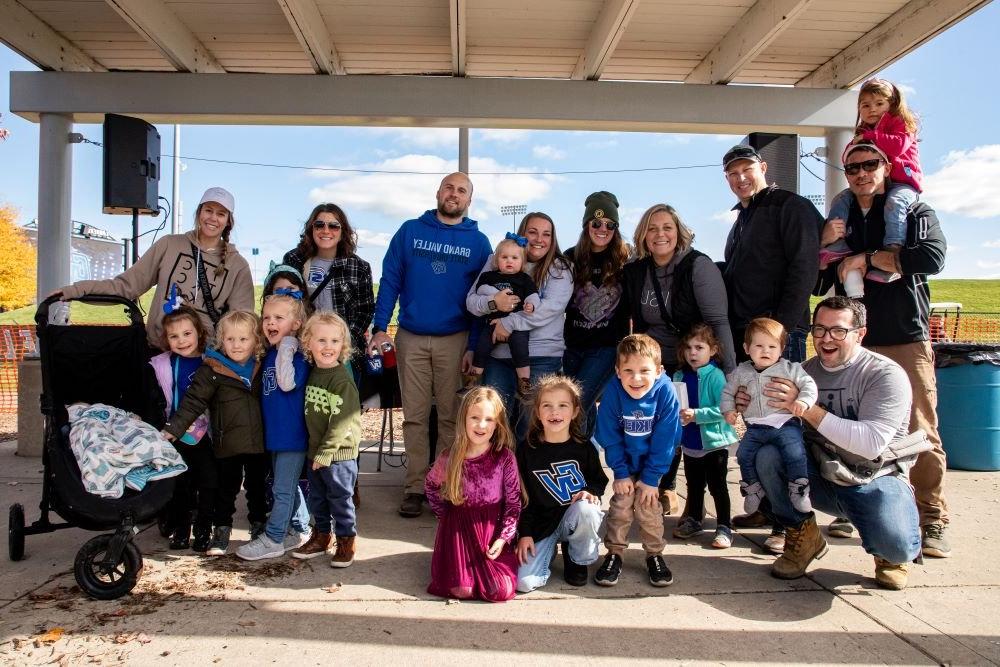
[(421, 101)]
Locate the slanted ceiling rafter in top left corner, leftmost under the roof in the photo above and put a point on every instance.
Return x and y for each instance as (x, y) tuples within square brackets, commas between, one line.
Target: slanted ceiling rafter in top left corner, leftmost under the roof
[(35, 40)]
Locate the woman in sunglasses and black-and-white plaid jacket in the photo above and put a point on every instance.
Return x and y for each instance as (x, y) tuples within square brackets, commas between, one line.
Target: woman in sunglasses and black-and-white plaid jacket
[(337, 279)]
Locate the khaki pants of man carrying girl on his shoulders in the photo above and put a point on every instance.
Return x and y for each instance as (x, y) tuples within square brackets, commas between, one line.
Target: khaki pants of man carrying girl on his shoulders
[(927, 475)]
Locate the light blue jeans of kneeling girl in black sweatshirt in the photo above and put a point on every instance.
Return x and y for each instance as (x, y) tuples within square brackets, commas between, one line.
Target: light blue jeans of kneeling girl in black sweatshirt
[(579, 527)]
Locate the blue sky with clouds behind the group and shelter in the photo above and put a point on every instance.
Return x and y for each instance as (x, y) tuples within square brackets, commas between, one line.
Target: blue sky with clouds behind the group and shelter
[(948, 81)]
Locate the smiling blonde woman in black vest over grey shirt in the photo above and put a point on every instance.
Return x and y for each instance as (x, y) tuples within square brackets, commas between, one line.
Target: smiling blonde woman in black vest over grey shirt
[(668, 289)]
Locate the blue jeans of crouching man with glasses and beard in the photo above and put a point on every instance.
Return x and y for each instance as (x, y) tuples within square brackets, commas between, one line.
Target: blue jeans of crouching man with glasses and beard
[(883, 510)]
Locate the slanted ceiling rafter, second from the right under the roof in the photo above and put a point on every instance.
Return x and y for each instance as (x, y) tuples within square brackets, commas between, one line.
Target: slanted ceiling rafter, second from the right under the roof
[(753, 32)]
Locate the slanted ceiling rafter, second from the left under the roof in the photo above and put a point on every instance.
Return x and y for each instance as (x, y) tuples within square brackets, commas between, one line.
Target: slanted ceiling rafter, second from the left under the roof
[(160, 27)]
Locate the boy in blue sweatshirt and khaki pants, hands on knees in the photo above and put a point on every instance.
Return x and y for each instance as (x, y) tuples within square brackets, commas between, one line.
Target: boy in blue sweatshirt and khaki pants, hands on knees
[(638, 426)]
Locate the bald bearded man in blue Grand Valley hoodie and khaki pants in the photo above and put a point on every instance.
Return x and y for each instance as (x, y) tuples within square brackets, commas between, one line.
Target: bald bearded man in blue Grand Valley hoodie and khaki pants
[(430, 265)]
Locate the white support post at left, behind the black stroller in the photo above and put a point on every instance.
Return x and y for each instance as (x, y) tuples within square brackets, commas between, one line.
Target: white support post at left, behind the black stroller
[(55, 190)]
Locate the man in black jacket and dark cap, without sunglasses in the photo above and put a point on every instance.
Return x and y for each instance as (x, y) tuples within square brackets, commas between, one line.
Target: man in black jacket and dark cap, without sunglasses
[(772, 253)]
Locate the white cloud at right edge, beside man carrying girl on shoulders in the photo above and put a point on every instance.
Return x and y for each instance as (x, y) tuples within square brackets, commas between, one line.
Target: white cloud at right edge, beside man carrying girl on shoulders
[(966, 183)]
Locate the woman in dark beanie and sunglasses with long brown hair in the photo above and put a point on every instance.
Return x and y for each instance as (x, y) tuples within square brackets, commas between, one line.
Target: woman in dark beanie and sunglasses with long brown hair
[(595, 317)]
